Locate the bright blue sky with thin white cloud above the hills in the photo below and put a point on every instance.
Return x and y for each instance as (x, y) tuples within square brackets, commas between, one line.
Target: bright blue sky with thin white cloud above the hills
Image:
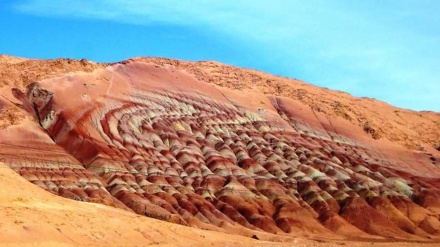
[(383, 49)]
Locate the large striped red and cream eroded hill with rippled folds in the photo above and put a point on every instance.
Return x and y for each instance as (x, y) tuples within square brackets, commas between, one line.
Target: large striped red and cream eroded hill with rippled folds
[(155, 140)]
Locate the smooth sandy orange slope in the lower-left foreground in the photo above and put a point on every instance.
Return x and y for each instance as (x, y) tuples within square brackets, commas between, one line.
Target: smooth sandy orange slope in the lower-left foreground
[(34, 217)]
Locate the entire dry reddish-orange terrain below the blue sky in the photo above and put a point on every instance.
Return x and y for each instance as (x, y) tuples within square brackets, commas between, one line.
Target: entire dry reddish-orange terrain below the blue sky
[(159, 151)]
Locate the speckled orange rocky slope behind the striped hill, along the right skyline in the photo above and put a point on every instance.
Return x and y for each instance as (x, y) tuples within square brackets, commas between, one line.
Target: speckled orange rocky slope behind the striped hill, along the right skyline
[(415, 130)]
